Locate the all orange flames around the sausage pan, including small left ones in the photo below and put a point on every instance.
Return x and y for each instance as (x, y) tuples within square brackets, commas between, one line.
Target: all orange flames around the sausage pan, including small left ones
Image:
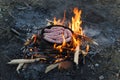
[(78, 38)]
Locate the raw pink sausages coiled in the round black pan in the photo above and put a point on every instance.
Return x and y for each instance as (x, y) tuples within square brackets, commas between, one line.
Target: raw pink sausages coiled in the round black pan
[(55, 34)]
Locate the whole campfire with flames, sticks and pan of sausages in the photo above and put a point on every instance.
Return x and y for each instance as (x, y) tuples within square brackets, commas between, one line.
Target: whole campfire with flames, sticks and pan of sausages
[(58, 43)]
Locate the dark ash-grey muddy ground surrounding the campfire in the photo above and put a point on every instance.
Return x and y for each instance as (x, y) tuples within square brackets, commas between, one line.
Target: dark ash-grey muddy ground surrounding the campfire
[(101, 21)]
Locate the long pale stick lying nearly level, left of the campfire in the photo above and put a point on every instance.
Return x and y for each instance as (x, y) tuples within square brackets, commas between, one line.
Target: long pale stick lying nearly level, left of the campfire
[(18, 61)]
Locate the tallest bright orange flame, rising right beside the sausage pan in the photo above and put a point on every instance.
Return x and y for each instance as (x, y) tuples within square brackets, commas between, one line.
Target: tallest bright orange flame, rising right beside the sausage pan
[(75, 25)]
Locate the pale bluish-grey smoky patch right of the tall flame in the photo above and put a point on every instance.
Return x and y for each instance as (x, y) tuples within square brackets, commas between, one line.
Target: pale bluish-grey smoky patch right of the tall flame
[(97, 34)]
